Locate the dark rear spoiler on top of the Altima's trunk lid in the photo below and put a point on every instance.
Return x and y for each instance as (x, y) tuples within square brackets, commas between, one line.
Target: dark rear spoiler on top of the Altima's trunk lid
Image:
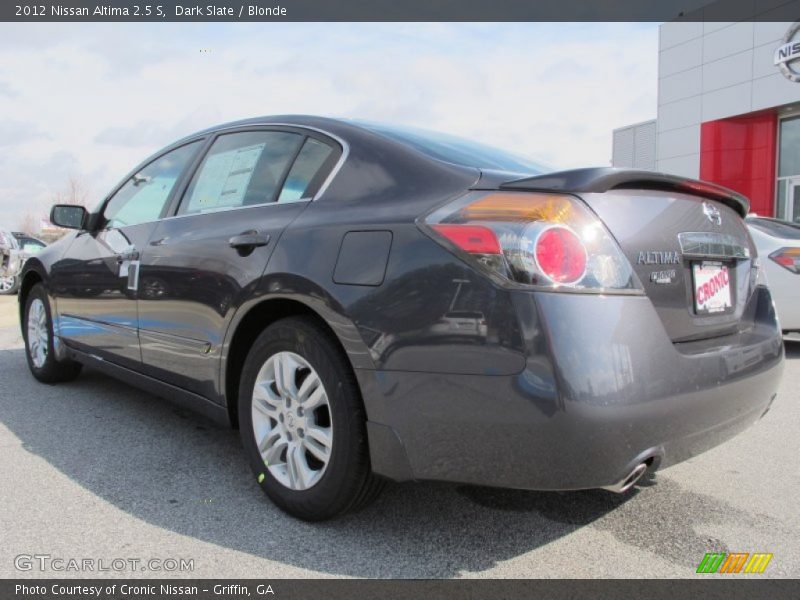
[(603, 179)]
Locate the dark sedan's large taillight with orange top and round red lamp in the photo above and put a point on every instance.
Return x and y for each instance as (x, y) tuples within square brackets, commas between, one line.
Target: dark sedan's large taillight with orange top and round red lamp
[(542, 240)]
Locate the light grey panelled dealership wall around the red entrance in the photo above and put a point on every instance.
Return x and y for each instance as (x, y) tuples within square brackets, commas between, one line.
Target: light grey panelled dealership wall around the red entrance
[(710, 71)]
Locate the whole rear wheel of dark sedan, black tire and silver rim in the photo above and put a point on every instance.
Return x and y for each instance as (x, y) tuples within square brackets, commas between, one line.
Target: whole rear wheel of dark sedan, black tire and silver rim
[(296, 480)]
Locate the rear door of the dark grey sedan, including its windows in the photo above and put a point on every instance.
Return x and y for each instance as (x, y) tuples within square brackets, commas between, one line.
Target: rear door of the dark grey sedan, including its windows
[(199, 263)]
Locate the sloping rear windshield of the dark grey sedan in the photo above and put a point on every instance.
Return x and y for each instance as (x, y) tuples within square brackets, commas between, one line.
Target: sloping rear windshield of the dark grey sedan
[(452, 149)]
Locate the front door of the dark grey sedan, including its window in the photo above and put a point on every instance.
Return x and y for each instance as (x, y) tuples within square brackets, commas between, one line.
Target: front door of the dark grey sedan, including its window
[(95, 282)]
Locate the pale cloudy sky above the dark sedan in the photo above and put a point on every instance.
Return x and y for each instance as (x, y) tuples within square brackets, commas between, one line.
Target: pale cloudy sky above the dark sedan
[(89, 101)]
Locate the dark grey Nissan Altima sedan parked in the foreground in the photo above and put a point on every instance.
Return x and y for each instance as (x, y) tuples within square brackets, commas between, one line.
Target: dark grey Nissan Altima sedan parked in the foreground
[(368, 302)]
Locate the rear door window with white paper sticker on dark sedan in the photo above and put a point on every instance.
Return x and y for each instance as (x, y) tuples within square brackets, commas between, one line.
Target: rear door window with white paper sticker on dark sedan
[(241, 169)]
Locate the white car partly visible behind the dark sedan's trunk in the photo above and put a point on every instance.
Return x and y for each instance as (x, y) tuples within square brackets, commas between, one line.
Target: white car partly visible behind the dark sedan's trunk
[(778, 244)]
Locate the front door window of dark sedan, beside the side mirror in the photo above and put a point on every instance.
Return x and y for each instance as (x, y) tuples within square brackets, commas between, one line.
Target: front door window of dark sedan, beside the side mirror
[(145, 195)]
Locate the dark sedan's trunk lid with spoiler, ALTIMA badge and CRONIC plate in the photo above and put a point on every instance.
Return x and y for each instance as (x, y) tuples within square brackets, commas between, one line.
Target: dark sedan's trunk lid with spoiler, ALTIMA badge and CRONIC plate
[(686, 240)]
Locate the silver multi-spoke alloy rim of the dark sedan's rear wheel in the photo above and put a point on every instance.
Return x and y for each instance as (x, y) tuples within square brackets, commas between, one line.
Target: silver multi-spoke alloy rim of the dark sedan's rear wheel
[(292, 421)]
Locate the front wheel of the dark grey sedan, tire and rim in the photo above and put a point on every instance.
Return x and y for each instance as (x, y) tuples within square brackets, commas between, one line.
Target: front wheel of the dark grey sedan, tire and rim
[(39, 341)]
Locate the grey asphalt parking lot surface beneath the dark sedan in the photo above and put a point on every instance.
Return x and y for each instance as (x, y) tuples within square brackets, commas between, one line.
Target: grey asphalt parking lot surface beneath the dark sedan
[(96, 469)]
